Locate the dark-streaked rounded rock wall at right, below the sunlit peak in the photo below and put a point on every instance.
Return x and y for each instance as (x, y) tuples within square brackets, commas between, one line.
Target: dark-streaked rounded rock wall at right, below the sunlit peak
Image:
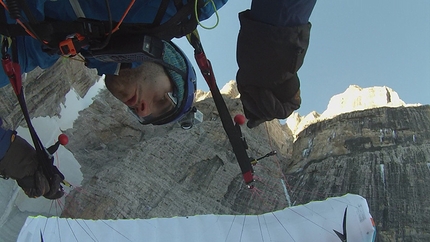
[(382, 154)]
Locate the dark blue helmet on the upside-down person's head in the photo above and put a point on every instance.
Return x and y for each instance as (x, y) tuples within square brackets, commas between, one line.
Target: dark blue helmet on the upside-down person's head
[(139, 49)]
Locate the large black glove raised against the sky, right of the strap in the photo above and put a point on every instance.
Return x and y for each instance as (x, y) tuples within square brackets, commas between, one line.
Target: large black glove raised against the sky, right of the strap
[(269, 58)]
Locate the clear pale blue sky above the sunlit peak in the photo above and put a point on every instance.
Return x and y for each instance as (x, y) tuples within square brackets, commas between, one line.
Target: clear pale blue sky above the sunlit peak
[(367, 43)]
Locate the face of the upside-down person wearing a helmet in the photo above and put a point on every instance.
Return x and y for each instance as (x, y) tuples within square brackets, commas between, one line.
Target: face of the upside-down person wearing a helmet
[(146, 97)]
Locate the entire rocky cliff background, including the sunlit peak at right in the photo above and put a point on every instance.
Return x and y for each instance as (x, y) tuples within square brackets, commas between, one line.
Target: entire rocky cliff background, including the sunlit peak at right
[(135, 171)]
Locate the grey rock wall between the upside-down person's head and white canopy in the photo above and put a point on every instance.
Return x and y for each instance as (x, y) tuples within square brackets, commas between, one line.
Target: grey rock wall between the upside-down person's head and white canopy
[(135, 171)]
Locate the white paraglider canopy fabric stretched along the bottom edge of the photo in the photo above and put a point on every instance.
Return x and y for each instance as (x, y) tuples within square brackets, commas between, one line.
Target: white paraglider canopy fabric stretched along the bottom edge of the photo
[(315, 221)]
